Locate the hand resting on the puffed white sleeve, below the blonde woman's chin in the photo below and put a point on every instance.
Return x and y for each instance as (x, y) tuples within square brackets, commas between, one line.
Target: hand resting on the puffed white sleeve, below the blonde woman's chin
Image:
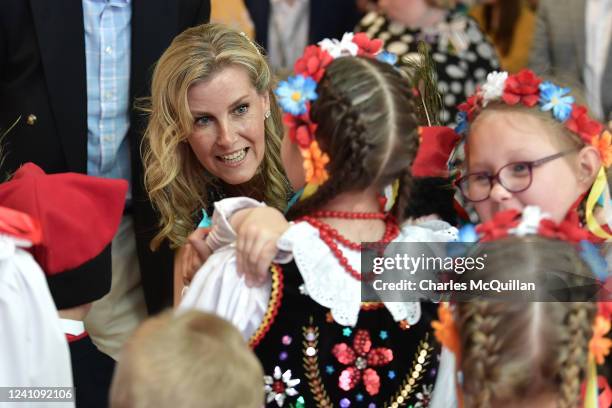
[(257, 232)]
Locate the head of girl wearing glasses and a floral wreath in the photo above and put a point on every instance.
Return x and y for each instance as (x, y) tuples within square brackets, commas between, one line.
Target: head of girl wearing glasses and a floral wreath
[(528, 143)]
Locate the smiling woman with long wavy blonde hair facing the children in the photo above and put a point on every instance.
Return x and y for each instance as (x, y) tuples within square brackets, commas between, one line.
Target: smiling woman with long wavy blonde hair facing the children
[(214, 131)]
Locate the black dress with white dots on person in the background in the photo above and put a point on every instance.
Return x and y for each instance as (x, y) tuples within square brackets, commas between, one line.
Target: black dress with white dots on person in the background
[(462, 54)]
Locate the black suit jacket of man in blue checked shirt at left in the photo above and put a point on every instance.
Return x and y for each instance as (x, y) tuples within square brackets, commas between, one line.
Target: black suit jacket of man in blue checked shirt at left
[(42, 73)]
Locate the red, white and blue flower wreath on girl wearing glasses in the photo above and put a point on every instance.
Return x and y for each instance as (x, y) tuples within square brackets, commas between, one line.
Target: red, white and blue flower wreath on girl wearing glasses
[(528, 89)]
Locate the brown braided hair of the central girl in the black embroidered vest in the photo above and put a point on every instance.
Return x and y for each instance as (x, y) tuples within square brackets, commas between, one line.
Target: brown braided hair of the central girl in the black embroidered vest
[(367, 124)]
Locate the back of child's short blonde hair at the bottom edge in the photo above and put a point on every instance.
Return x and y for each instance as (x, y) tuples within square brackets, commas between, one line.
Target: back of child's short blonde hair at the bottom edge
[(195, 360)]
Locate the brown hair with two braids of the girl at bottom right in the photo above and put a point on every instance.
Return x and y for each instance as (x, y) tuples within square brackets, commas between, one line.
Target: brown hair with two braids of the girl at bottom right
[(523, 350)]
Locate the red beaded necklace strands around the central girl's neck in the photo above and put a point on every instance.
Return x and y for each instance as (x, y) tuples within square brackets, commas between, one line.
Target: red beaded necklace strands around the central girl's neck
[(330, 235)]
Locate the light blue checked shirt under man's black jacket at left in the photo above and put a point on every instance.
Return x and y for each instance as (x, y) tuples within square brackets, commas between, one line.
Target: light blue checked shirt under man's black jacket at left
[(107, 54)]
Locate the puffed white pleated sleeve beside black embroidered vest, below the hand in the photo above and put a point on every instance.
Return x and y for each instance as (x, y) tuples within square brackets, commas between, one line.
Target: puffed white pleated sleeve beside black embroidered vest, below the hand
[(217, 288)]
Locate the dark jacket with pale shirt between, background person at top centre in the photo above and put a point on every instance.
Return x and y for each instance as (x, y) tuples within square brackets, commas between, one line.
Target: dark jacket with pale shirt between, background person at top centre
[(328, 19)]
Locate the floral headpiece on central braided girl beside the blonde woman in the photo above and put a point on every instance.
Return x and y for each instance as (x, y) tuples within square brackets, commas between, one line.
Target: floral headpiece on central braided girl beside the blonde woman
[(298, 92)]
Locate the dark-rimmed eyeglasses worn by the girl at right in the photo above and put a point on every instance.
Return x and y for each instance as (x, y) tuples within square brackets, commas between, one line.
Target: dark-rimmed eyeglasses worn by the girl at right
[(515, 177)]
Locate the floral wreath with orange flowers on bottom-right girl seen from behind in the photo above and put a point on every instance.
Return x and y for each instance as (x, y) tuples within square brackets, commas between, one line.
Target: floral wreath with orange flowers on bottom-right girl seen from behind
[(532, 221)]
